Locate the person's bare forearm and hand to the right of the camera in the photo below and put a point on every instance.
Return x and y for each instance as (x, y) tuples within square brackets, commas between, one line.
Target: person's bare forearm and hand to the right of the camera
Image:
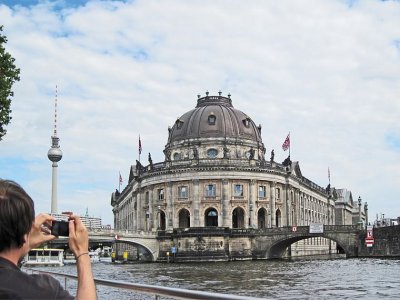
[(79, 245)]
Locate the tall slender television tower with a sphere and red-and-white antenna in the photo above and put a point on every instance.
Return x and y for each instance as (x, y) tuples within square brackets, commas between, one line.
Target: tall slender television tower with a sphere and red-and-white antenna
[(55, 155)]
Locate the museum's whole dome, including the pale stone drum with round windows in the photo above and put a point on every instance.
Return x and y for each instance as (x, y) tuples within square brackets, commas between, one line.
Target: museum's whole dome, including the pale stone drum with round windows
[(214, 129)]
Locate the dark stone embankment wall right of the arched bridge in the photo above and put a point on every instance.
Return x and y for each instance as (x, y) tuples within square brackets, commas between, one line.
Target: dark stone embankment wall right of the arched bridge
[(386, 243)]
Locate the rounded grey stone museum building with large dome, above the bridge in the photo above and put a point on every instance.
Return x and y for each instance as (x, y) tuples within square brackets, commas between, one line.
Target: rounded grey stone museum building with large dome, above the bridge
[(216, 174)]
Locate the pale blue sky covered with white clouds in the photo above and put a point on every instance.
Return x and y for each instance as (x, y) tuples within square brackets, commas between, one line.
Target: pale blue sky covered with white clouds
[(328, 72)]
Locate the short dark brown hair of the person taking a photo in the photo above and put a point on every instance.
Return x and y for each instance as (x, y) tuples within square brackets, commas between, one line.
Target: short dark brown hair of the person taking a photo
[(17, 214)]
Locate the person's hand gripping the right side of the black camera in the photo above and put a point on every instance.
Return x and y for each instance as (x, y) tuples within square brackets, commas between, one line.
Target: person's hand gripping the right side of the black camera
[(78, 236)]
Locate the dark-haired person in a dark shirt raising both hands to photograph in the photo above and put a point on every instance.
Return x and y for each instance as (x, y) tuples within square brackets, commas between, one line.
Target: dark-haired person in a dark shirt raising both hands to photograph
[(20, 231)]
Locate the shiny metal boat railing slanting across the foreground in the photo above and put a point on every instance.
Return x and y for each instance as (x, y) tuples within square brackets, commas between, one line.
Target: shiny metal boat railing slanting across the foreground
[(153, 290)]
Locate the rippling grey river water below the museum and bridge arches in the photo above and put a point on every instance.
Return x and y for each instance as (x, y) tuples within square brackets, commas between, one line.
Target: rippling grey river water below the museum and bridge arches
[(269, 279)]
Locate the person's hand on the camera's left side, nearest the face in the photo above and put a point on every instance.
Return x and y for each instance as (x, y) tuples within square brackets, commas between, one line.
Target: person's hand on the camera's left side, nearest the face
[(40, 231)]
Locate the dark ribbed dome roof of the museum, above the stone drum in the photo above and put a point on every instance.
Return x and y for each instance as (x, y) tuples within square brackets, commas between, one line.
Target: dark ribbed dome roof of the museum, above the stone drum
[(214, 117)]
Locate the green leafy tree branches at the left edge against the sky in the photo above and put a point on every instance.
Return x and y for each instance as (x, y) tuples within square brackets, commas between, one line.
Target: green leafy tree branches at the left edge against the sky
[(9, 73)]
